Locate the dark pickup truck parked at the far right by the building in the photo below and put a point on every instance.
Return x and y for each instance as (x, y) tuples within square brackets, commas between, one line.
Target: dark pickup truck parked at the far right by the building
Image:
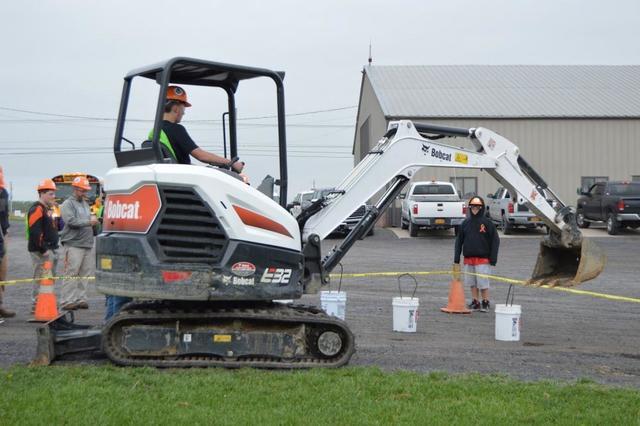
[(617, 203)]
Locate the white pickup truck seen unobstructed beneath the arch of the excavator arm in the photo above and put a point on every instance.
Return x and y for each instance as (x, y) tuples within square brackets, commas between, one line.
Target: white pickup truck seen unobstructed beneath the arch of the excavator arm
[(432, 205)]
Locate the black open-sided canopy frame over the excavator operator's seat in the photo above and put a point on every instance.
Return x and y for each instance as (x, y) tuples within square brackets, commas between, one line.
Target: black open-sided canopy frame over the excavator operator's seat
[(196, 72)]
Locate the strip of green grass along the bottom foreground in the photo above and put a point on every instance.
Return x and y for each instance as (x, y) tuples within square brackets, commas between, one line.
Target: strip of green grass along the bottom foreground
[(112, 395)]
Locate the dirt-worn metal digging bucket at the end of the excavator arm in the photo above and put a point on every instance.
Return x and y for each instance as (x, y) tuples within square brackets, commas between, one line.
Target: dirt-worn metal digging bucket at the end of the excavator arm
[(567, 267)]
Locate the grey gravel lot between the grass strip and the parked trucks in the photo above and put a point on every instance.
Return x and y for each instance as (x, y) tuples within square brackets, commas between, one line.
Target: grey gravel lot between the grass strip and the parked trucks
[(565, 336)]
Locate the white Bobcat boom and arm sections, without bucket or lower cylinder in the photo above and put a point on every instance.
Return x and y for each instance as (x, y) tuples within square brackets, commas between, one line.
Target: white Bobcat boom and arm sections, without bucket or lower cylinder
[(406, 148)]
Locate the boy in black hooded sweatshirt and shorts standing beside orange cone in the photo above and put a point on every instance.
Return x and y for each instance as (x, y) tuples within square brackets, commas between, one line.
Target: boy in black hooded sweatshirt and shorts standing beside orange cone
[(479, 242)]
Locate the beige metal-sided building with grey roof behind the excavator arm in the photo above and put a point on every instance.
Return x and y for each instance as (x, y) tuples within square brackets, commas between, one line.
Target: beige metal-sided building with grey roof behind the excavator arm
[(574, 124)]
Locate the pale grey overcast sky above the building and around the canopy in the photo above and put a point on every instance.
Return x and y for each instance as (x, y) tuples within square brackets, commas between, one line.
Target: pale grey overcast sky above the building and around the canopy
[(69, 58)]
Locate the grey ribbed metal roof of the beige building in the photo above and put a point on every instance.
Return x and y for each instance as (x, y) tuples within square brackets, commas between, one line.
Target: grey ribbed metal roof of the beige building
[(507, 91)]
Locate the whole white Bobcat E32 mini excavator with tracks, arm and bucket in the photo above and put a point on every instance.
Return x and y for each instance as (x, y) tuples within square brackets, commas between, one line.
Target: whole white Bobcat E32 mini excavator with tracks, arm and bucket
[(205, 255)]
